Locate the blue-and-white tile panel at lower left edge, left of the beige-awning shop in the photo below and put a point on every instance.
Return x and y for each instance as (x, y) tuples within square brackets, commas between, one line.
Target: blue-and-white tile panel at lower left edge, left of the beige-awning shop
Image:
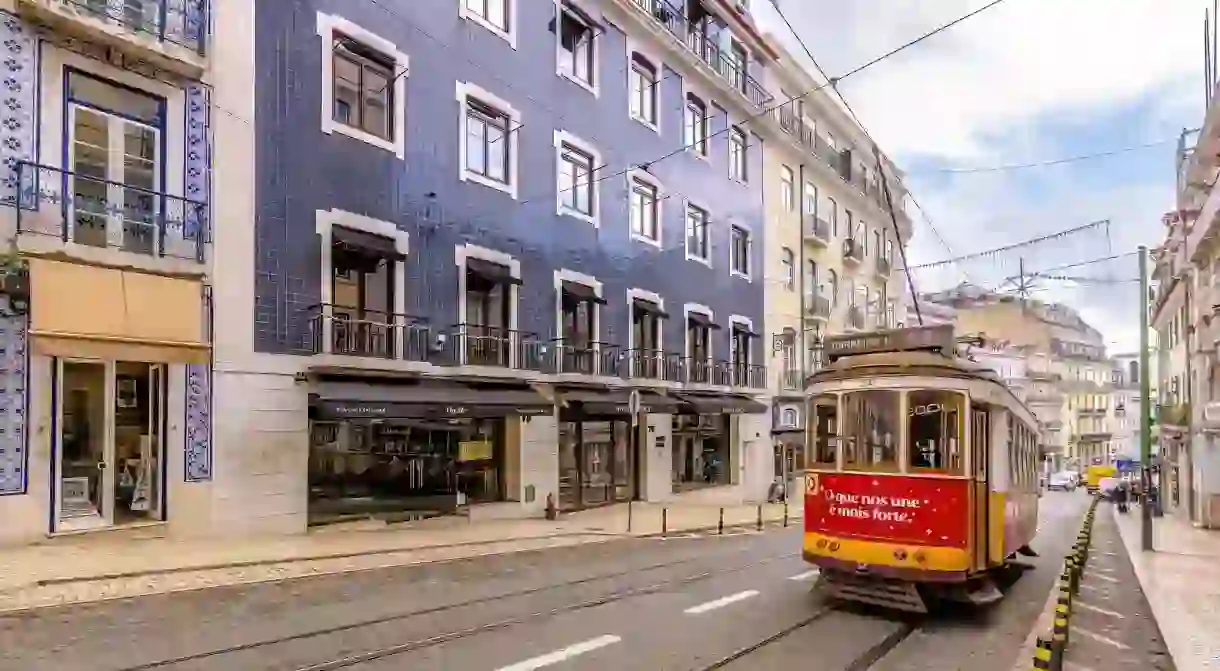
[(14, 452)]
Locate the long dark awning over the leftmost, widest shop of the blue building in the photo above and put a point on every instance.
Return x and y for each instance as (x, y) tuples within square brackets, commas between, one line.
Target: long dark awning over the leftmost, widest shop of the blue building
[(356, 401)]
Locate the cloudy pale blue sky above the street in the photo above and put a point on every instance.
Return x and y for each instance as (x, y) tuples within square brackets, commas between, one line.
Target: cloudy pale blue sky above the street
[(1028, 81)]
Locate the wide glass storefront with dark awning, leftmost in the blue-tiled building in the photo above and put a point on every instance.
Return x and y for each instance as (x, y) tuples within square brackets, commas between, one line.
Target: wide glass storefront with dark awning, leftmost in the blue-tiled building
[(413, 448)]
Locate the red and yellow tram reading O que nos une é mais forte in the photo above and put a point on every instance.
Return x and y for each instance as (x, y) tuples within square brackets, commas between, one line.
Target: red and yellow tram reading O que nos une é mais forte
[(923, 472)]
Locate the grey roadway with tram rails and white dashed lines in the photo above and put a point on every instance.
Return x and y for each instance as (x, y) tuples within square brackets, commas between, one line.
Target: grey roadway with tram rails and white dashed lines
[(681, 603)]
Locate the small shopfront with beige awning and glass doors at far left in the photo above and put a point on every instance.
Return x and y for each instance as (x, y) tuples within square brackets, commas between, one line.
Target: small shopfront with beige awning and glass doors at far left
[(110, 351)]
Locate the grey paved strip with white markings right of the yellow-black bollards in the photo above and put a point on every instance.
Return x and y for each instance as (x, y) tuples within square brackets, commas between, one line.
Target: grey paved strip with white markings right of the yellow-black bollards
[(1112, 624)]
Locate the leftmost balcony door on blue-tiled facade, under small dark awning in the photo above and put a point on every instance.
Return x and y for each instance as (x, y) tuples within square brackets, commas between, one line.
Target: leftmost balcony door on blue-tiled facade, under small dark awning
[(362, 293)]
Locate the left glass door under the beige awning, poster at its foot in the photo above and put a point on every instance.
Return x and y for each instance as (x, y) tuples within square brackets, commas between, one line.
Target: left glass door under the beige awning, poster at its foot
[(85, 446)]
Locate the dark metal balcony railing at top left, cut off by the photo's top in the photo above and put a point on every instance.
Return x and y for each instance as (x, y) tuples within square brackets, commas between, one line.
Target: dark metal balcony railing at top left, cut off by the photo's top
[(180, 23)]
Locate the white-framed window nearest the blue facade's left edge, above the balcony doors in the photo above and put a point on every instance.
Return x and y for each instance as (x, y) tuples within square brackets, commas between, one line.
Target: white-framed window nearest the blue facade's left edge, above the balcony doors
[(363, 90)]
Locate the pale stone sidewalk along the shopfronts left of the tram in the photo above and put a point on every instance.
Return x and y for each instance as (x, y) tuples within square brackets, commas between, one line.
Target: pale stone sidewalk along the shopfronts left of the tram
[(108, 567)]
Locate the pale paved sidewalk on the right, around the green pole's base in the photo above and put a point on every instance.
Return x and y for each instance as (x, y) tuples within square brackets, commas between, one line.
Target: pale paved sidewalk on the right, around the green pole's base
[(1182, 581)]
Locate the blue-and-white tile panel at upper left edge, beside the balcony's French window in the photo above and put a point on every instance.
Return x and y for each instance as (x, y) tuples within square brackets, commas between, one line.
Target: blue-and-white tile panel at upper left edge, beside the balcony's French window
[(19, 54)]
